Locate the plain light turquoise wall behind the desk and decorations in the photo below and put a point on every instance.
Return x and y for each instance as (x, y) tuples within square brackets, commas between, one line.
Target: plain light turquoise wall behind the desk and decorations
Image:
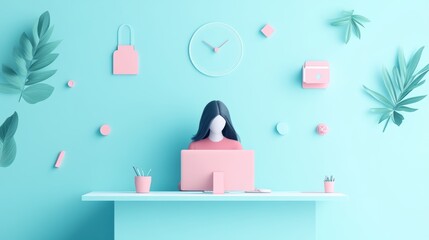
[(153, 115)]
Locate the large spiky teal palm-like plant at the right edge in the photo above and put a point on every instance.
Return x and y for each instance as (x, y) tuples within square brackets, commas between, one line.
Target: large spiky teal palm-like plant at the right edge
[(399, 83)]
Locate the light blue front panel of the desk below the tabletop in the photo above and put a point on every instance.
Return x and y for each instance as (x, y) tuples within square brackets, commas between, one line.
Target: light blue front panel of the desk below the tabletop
[(215, 220)]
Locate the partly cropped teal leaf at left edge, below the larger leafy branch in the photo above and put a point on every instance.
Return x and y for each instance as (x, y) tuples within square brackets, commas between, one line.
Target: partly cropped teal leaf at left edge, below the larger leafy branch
[(7, 141)]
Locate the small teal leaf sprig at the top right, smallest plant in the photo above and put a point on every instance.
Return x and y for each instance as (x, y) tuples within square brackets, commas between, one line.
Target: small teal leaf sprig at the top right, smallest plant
[(352, 22)]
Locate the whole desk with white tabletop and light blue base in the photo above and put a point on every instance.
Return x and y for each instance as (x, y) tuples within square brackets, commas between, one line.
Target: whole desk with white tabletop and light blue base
[(196, 215)]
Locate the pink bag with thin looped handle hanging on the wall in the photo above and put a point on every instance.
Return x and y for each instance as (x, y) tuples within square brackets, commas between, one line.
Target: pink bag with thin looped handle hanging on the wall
[(125, 59)]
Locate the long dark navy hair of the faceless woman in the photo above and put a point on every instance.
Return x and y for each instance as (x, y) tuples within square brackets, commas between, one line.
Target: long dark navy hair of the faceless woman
[(213, 109)]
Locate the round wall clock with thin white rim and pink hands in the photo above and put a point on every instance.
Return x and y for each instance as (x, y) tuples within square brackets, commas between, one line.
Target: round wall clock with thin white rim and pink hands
[(216, 49)]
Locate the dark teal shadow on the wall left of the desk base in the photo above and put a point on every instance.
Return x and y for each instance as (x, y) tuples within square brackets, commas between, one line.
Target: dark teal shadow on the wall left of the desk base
[(96, 224)]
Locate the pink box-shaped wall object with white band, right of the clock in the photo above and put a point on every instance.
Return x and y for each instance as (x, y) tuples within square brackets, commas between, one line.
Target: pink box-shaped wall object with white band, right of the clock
[(315, 74)]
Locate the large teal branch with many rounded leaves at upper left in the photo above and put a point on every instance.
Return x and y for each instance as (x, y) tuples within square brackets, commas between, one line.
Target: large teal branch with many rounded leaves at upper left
[(31, 58)]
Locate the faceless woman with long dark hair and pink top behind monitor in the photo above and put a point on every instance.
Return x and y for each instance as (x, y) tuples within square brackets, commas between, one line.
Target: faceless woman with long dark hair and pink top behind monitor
[(215, 130)]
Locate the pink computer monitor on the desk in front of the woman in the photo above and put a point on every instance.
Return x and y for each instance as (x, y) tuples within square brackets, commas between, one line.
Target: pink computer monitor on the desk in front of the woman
[(232, 169)]
